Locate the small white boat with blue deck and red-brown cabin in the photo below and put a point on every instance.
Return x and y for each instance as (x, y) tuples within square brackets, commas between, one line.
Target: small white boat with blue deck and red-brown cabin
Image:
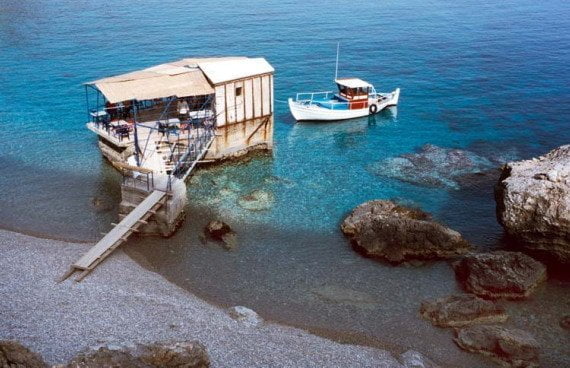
[(355, 98)]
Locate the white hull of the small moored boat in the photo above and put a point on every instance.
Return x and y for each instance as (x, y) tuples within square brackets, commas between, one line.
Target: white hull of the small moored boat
[(313, 112)]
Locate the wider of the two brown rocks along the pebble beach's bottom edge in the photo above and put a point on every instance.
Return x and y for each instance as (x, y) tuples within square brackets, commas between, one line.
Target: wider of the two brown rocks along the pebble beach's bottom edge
[(189, 354)]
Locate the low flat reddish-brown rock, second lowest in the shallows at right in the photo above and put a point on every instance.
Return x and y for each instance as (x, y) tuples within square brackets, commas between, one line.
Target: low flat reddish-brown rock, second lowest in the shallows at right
[(462, 310)]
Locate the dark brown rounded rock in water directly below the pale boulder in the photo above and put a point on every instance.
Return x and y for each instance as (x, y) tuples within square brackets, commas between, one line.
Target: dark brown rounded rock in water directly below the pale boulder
[(500, 274)]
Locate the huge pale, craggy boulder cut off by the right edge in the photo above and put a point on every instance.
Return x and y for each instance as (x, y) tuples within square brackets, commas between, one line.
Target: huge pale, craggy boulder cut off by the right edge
[(533, 203)]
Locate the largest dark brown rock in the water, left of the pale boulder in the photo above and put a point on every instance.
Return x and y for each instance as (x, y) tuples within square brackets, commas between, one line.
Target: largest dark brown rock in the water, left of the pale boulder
[(396, 233)]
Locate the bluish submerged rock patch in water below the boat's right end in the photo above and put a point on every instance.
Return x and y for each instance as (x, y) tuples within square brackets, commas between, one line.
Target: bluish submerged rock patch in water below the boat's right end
[(432, 166)]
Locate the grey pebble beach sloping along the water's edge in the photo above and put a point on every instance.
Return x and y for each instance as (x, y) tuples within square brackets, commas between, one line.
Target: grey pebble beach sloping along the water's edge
[(122, 302)]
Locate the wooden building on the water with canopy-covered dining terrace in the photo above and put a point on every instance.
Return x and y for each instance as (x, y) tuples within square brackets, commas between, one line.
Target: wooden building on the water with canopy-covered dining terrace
[(167, 117)]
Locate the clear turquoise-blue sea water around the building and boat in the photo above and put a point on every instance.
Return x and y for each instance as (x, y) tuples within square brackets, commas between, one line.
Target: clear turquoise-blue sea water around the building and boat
[(486, 81)]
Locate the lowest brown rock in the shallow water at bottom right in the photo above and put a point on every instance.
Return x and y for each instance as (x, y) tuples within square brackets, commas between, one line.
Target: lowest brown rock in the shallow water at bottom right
[(509, 347)]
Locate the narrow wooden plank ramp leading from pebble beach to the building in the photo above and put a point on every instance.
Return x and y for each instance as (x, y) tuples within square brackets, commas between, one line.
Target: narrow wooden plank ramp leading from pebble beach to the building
[(118, 235)]
